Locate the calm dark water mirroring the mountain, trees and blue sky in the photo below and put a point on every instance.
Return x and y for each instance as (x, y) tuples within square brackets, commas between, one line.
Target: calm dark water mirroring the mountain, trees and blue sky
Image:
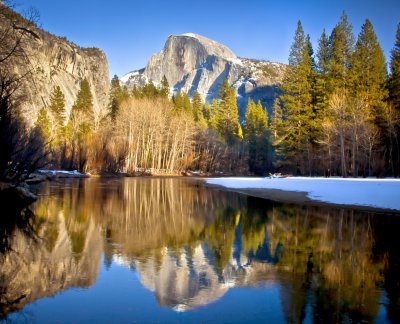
[(172, 250)]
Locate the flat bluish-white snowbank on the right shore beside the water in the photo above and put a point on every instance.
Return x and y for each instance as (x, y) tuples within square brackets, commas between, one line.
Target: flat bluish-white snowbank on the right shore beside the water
[(379, 193)]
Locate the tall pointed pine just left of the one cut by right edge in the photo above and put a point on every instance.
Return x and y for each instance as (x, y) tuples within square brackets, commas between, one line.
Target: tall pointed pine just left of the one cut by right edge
[(367, 93)]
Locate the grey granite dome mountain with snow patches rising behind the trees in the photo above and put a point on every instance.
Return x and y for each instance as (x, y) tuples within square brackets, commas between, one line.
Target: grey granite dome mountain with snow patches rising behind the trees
[(194, 63)]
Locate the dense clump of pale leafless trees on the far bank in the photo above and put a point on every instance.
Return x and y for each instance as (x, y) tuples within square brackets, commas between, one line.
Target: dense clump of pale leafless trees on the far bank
[(150, 136)]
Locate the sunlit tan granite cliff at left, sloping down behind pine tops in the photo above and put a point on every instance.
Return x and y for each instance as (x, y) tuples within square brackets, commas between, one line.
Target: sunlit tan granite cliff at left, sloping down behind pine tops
[(49, 61)]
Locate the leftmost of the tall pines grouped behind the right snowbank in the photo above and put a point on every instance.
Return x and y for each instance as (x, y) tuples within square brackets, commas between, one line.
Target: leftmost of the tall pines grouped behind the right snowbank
[(297, 101)]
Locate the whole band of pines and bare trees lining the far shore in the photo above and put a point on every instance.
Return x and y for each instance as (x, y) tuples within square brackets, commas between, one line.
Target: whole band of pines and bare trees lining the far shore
[(338, 114)]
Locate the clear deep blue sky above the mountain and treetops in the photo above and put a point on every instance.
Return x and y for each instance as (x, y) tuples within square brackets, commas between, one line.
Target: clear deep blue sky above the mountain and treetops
[(131, 31)]
